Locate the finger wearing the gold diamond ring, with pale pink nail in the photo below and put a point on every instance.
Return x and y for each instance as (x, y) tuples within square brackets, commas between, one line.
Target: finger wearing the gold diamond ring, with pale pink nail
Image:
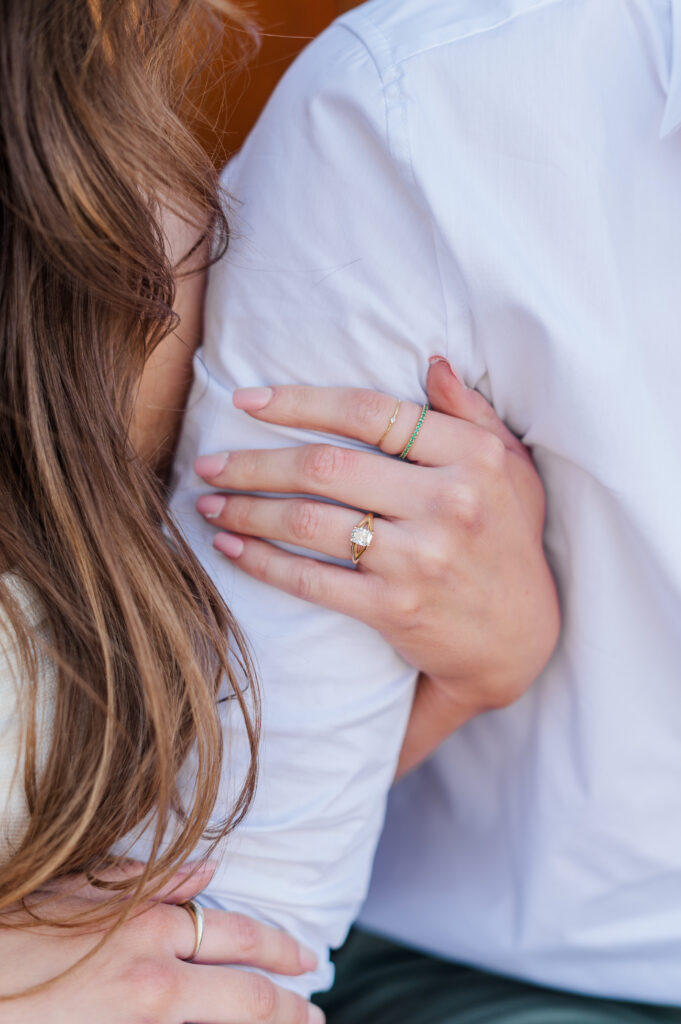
[(304, 523)]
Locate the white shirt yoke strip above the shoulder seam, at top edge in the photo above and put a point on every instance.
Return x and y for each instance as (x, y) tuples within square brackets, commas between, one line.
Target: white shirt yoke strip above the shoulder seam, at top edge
[(395, 31)]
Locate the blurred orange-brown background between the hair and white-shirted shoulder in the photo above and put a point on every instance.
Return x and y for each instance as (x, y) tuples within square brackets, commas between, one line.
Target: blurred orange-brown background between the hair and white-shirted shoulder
[(230, 102)]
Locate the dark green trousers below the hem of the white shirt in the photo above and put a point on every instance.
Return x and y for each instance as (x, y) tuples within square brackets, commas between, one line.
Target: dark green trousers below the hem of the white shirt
[(378, 983)]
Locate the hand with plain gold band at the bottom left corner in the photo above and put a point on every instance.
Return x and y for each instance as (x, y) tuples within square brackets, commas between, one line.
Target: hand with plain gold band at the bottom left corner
[(141, 975)]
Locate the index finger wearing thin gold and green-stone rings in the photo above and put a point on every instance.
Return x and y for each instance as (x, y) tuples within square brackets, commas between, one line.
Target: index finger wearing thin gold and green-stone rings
[(372, 417)]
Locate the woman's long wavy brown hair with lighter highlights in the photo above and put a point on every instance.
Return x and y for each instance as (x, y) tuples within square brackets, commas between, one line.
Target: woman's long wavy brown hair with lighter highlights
[(92, 135)]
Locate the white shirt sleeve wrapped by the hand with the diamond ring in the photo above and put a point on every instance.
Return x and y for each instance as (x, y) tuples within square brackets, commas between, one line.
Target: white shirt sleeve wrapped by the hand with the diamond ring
[(330, 280)]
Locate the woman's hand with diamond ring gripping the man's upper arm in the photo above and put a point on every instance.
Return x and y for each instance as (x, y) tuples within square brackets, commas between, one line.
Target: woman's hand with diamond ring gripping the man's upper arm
[(455, 579)]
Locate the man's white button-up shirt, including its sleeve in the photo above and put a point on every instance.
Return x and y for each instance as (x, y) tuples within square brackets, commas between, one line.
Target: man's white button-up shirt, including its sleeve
[(499, 181)]
